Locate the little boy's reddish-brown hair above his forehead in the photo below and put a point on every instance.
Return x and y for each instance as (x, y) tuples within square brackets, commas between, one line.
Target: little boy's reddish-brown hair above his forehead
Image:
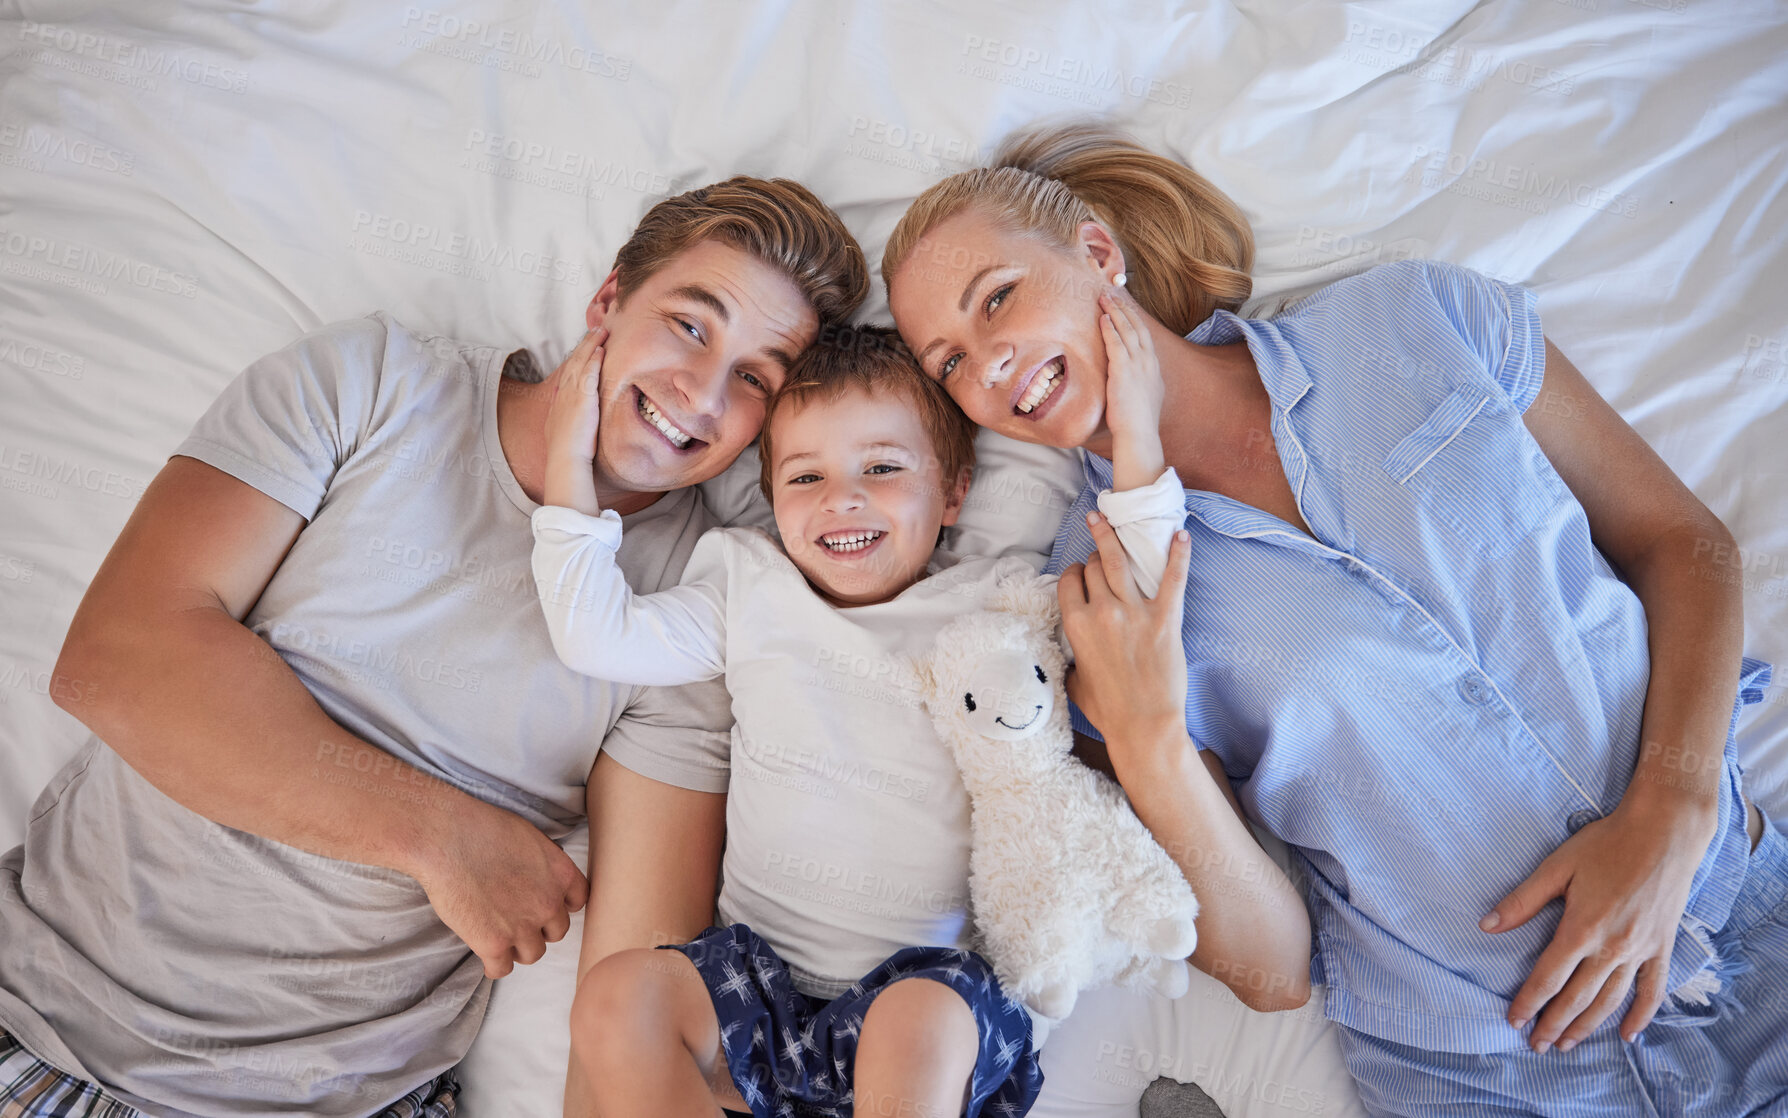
[(872, 359)]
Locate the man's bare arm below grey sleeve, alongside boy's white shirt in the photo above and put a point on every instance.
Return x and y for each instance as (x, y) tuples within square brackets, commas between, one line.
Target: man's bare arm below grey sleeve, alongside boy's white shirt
[(655, 867)]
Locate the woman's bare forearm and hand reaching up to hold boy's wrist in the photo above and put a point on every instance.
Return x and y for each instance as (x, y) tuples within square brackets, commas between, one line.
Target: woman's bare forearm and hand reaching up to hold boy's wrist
[(1129, 679)]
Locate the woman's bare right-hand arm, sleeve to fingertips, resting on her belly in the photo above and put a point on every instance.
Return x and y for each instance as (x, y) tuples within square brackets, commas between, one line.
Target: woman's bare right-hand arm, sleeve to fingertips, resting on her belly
[(1626, 877)]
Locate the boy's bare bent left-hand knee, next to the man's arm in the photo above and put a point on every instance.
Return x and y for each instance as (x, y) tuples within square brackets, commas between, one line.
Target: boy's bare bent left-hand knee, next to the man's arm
[(648, 1038)]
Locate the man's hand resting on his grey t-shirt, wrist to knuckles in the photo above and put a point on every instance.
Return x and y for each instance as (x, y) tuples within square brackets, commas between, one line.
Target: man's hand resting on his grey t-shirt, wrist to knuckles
[(503, 888)]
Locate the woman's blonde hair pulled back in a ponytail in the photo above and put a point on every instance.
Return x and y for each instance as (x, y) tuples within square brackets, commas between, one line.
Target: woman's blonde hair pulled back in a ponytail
[(1188, 248)]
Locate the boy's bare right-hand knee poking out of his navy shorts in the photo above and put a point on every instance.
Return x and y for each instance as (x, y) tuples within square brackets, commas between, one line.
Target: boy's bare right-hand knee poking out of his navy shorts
[(916, 1053)]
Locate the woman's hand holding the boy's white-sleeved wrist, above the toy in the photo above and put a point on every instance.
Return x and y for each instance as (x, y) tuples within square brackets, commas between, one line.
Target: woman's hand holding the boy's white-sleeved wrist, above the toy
[(1129, 673)]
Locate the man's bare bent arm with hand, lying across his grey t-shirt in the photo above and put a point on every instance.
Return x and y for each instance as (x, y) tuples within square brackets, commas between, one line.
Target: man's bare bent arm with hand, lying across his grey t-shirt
[(214, 718)]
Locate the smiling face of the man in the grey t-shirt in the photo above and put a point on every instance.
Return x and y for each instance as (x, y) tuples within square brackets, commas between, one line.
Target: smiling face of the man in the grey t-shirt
[(693, 357)]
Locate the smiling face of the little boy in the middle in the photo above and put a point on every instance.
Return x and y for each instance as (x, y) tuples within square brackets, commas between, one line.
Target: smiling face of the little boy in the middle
[(859, 495)]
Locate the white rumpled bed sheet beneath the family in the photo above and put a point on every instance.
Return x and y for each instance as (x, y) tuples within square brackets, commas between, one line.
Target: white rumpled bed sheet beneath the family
[(185, 187)]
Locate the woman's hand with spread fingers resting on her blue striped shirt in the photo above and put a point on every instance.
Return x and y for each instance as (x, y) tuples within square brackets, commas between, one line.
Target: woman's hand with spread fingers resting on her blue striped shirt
[(1624, 883)]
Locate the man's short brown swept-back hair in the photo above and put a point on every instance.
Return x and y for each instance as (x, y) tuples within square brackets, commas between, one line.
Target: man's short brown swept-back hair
[(777, 221)]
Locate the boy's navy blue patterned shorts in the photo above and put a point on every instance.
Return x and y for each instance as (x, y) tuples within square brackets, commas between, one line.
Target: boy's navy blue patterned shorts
[(793, 1056)]
